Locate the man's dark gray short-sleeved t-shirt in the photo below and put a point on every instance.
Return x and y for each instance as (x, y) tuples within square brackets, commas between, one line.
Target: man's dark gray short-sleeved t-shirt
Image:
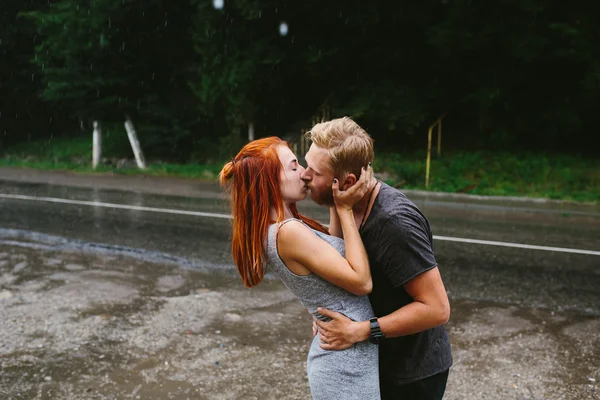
[(398, 240)]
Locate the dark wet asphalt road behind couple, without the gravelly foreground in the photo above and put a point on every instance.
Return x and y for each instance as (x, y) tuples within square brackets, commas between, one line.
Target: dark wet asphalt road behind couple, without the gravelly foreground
[(551, 279)]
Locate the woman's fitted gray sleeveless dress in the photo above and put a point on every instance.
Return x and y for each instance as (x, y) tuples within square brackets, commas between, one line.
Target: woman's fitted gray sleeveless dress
[(347, 374)]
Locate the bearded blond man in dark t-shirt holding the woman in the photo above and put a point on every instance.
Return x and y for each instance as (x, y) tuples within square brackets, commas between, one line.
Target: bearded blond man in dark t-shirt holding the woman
[(408, 297)]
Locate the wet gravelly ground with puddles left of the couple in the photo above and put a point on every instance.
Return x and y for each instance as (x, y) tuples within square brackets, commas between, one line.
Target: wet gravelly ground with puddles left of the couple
[(79, 324)]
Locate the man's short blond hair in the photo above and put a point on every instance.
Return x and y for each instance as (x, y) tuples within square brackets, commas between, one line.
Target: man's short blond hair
[(349, 146)]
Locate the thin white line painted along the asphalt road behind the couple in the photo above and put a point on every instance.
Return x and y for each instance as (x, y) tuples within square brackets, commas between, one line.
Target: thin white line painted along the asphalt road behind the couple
[(226, 216)]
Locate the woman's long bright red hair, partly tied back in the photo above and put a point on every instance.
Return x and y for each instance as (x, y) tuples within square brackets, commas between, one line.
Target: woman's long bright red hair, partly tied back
[(255, 190)]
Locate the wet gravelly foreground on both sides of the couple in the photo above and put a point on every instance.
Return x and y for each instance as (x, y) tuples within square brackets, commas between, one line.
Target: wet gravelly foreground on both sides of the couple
[(80, 324)]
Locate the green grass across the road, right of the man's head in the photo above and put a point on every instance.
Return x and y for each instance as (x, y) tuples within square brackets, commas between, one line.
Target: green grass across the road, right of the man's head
[(550, 176)]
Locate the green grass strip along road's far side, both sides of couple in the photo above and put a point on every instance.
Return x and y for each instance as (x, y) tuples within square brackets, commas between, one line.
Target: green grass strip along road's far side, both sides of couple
[(560, 177)]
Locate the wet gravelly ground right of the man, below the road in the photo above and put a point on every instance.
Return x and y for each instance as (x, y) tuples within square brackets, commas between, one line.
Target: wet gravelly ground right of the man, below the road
[(514, 352)]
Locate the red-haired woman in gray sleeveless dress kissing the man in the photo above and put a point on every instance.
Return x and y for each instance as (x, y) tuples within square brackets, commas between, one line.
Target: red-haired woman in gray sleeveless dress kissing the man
[(320, 269)]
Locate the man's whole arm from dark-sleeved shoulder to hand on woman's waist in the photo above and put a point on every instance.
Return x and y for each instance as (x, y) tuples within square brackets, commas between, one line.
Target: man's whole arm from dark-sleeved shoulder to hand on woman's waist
[(406, 259)]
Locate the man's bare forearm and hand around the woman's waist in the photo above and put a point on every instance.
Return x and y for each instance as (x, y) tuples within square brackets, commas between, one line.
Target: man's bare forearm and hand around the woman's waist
[(430, 308)]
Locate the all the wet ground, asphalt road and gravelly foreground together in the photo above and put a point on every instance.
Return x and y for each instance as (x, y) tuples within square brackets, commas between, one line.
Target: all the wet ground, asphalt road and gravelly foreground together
[(525, 322)]
